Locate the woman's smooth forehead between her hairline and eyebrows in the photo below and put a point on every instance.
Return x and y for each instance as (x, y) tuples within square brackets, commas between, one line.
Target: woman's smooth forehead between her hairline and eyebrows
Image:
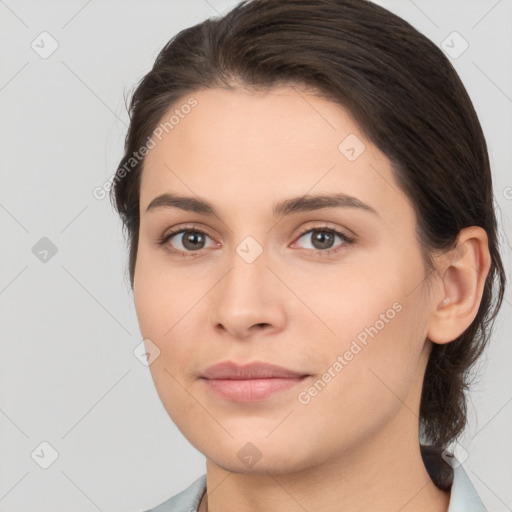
[(256, 147)]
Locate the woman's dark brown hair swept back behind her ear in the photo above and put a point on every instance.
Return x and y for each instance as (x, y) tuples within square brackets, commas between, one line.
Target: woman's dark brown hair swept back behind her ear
[(407, 99)]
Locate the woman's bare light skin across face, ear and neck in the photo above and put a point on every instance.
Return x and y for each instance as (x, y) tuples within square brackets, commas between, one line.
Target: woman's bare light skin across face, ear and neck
[(356, 442)]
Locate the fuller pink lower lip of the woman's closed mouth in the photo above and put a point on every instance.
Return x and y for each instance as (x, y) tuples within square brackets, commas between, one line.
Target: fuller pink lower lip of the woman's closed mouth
[(250, 390)]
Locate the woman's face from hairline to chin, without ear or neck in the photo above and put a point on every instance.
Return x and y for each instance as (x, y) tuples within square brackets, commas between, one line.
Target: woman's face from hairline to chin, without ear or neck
[(261, 280)]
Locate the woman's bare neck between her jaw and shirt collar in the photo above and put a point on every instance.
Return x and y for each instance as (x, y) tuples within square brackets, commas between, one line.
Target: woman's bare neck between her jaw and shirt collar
[(385, 471)]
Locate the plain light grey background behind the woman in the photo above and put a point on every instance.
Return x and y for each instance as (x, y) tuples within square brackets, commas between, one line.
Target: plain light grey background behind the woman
[(68, 375)]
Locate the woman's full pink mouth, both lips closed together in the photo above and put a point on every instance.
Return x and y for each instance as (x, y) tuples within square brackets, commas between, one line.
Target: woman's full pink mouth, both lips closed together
[(251, 382)]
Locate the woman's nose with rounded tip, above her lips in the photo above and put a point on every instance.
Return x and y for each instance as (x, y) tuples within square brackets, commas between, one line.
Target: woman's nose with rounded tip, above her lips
[(249, 299)]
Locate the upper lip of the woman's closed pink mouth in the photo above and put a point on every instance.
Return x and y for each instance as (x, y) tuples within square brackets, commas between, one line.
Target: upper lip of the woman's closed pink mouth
[(255, 370)]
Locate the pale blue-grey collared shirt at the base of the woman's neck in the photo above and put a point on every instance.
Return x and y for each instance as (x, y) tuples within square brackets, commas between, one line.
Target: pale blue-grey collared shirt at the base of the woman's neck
[(463, 497)]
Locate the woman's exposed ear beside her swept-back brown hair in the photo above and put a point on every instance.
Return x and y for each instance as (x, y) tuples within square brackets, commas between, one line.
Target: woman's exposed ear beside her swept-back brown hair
[(457, 298)]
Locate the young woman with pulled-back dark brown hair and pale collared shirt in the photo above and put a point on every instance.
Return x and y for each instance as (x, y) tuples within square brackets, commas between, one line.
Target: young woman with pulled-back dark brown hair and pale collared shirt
[(313, 253)]
